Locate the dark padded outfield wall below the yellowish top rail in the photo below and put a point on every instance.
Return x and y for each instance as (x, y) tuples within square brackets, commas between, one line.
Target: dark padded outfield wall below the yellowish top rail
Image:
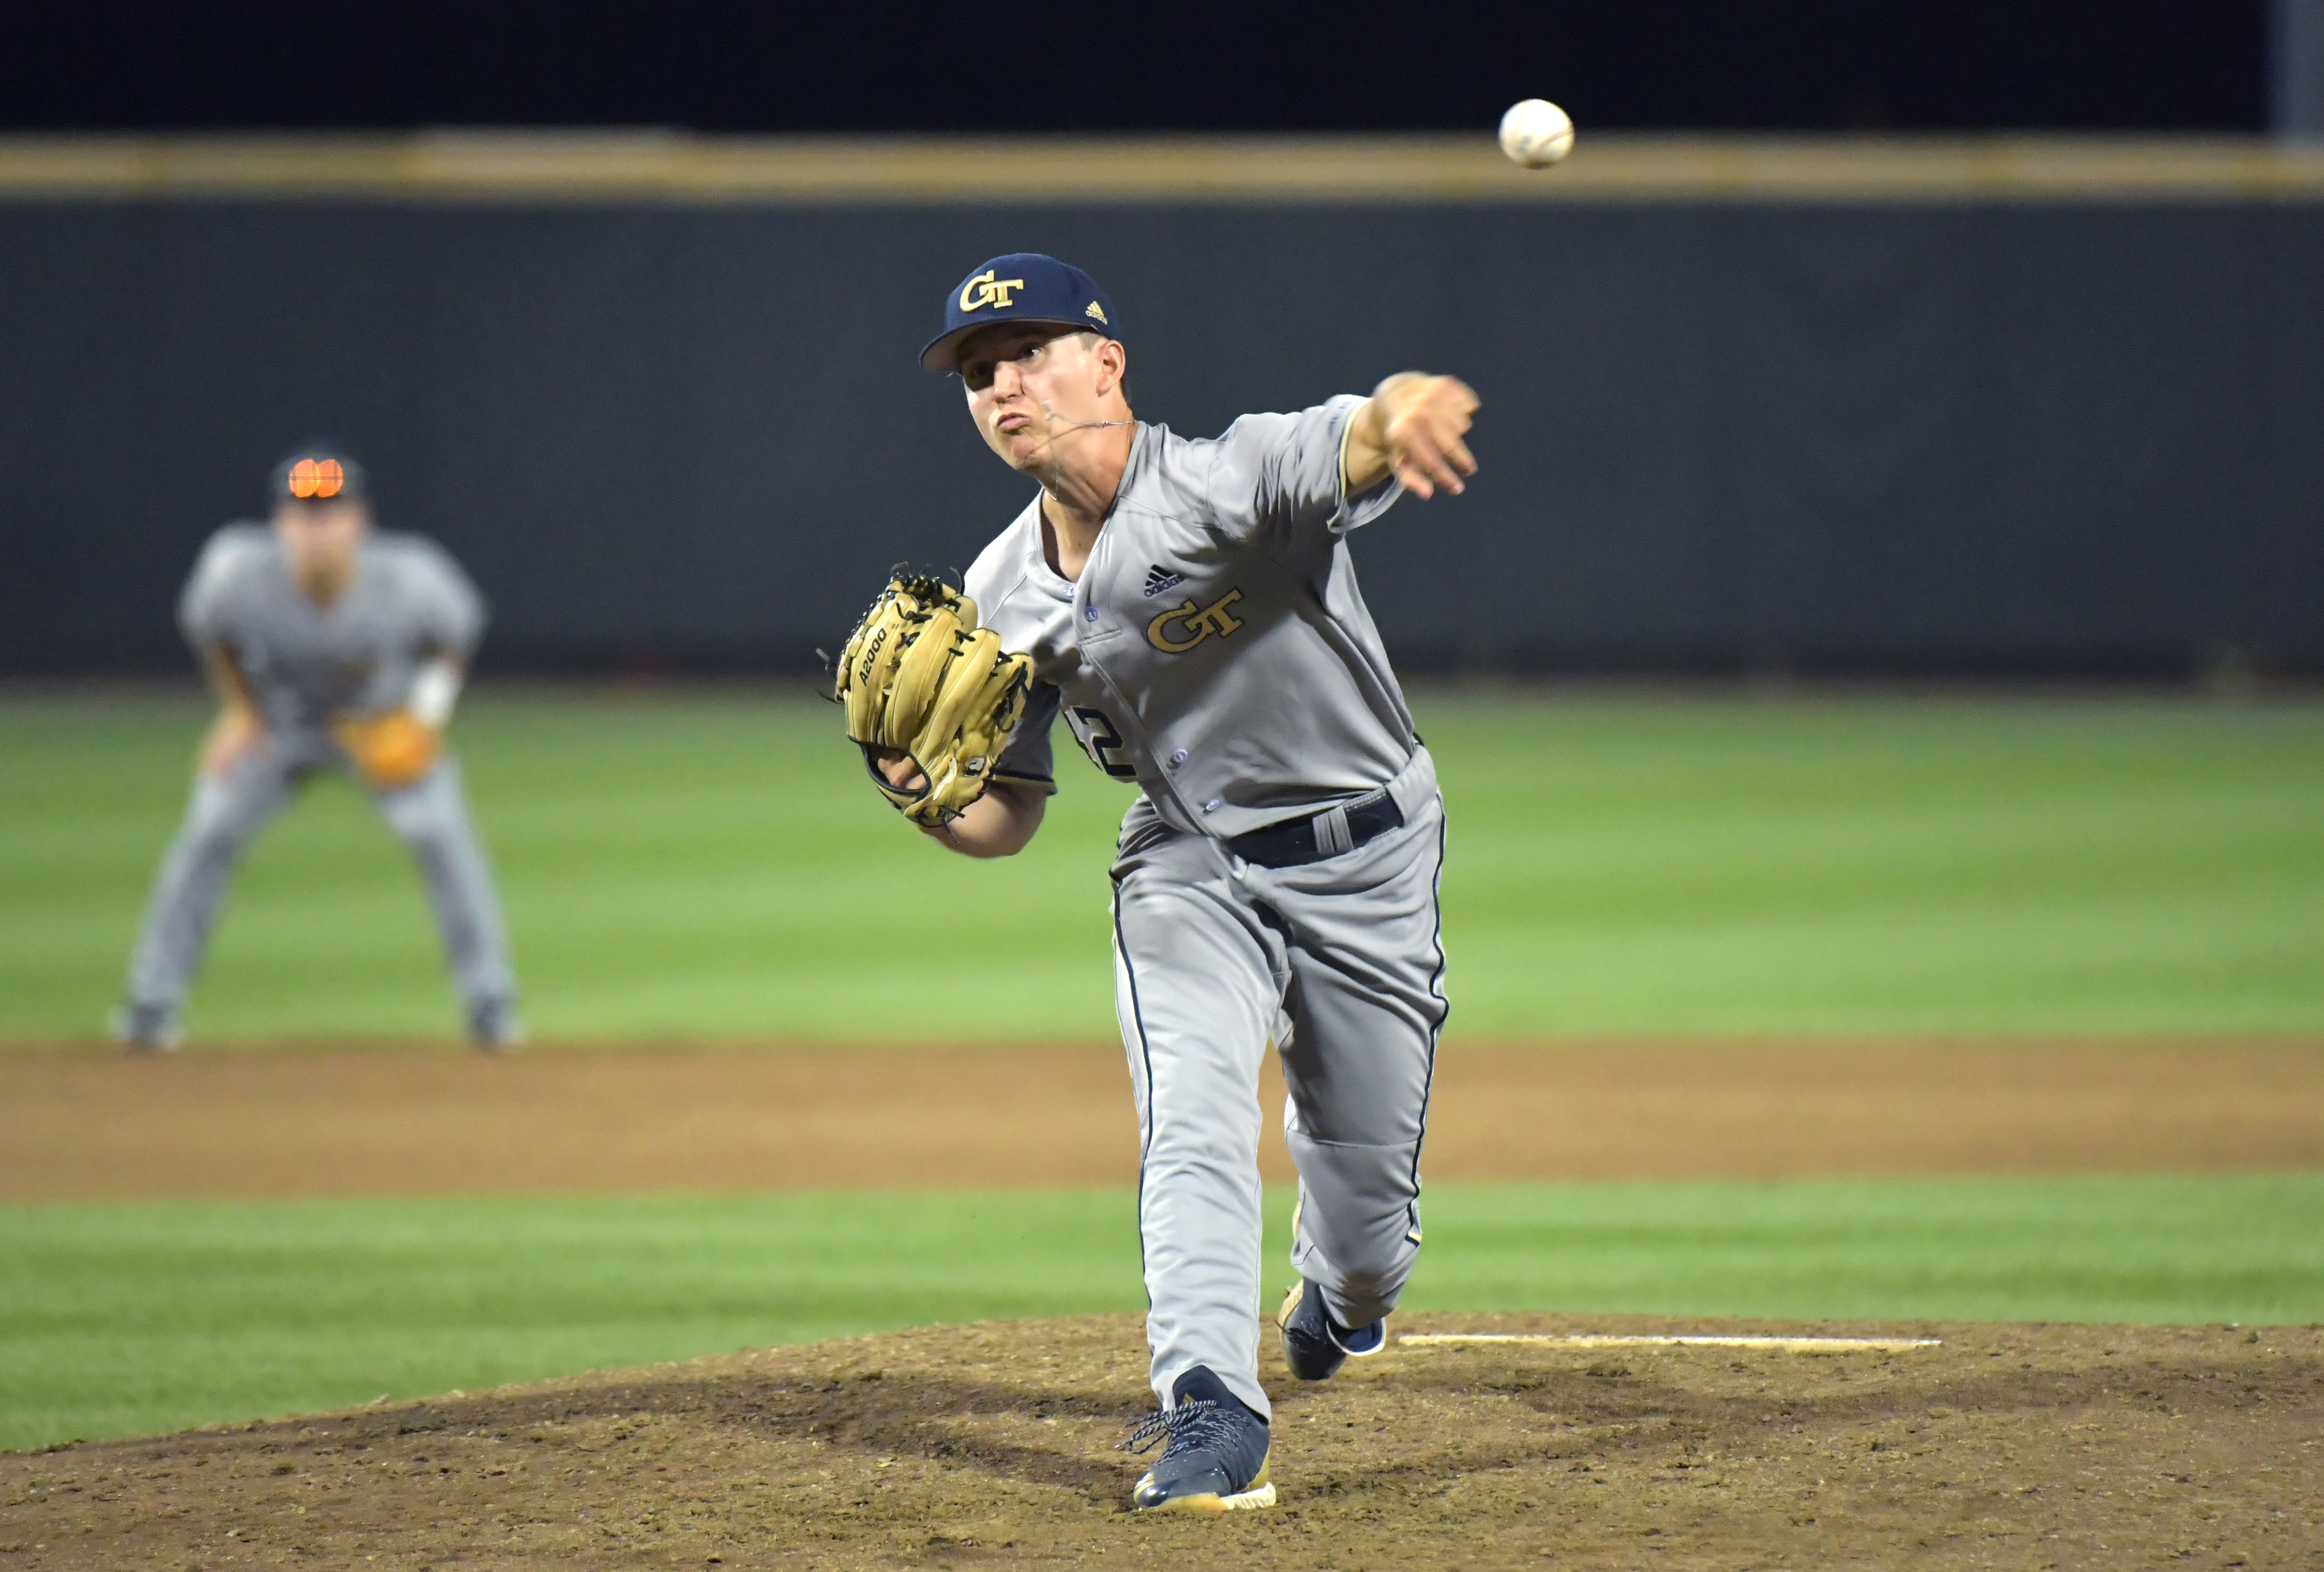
[(1837, 438)]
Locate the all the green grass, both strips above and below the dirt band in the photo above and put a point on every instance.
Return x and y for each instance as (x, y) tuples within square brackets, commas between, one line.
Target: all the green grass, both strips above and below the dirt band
[(708, 864)]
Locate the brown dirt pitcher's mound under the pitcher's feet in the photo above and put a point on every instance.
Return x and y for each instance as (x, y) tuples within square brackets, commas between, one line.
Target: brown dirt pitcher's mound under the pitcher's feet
[(2004, 1445)]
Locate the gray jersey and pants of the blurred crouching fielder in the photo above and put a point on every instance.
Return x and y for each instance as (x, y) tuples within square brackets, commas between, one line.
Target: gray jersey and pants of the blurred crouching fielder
[(408, 603)]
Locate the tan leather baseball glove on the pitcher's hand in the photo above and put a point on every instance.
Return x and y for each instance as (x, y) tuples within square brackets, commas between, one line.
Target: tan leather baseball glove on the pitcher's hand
[(921, 678)]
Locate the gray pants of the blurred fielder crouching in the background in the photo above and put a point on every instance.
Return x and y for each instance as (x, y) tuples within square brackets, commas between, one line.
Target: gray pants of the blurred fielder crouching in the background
[(227, 813)]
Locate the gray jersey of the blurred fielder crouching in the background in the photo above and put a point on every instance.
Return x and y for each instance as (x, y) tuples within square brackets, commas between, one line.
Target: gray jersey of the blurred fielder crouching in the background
[(306, 664)]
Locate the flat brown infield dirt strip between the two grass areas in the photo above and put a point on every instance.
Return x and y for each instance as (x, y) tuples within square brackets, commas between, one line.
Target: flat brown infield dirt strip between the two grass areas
[(336, 1122)]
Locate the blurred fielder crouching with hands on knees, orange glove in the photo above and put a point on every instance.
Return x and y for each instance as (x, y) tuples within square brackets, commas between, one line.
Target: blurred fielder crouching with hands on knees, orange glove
[(331, 648)]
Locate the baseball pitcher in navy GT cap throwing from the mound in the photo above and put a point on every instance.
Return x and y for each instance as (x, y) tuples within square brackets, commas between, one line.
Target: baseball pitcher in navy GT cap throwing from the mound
[(1191, 610)]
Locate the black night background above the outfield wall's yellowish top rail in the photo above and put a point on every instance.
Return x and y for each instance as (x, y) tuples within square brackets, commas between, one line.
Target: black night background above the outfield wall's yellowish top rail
[(989, 66)]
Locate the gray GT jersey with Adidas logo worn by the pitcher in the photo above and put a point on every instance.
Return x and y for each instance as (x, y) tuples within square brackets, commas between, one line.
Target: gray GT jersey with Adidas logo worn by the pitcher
[(1217, 648)]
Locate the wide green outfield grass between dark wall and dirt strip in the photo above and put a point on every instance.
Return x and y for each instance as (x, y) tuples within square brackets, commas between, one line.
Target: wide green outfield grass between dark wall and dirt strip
[(712, 866)]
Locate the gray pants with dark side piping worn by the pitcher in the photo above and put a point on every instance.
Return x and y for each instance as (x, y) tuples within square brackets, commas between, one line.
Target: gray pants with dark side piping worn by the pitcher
[(1340, 966)]
